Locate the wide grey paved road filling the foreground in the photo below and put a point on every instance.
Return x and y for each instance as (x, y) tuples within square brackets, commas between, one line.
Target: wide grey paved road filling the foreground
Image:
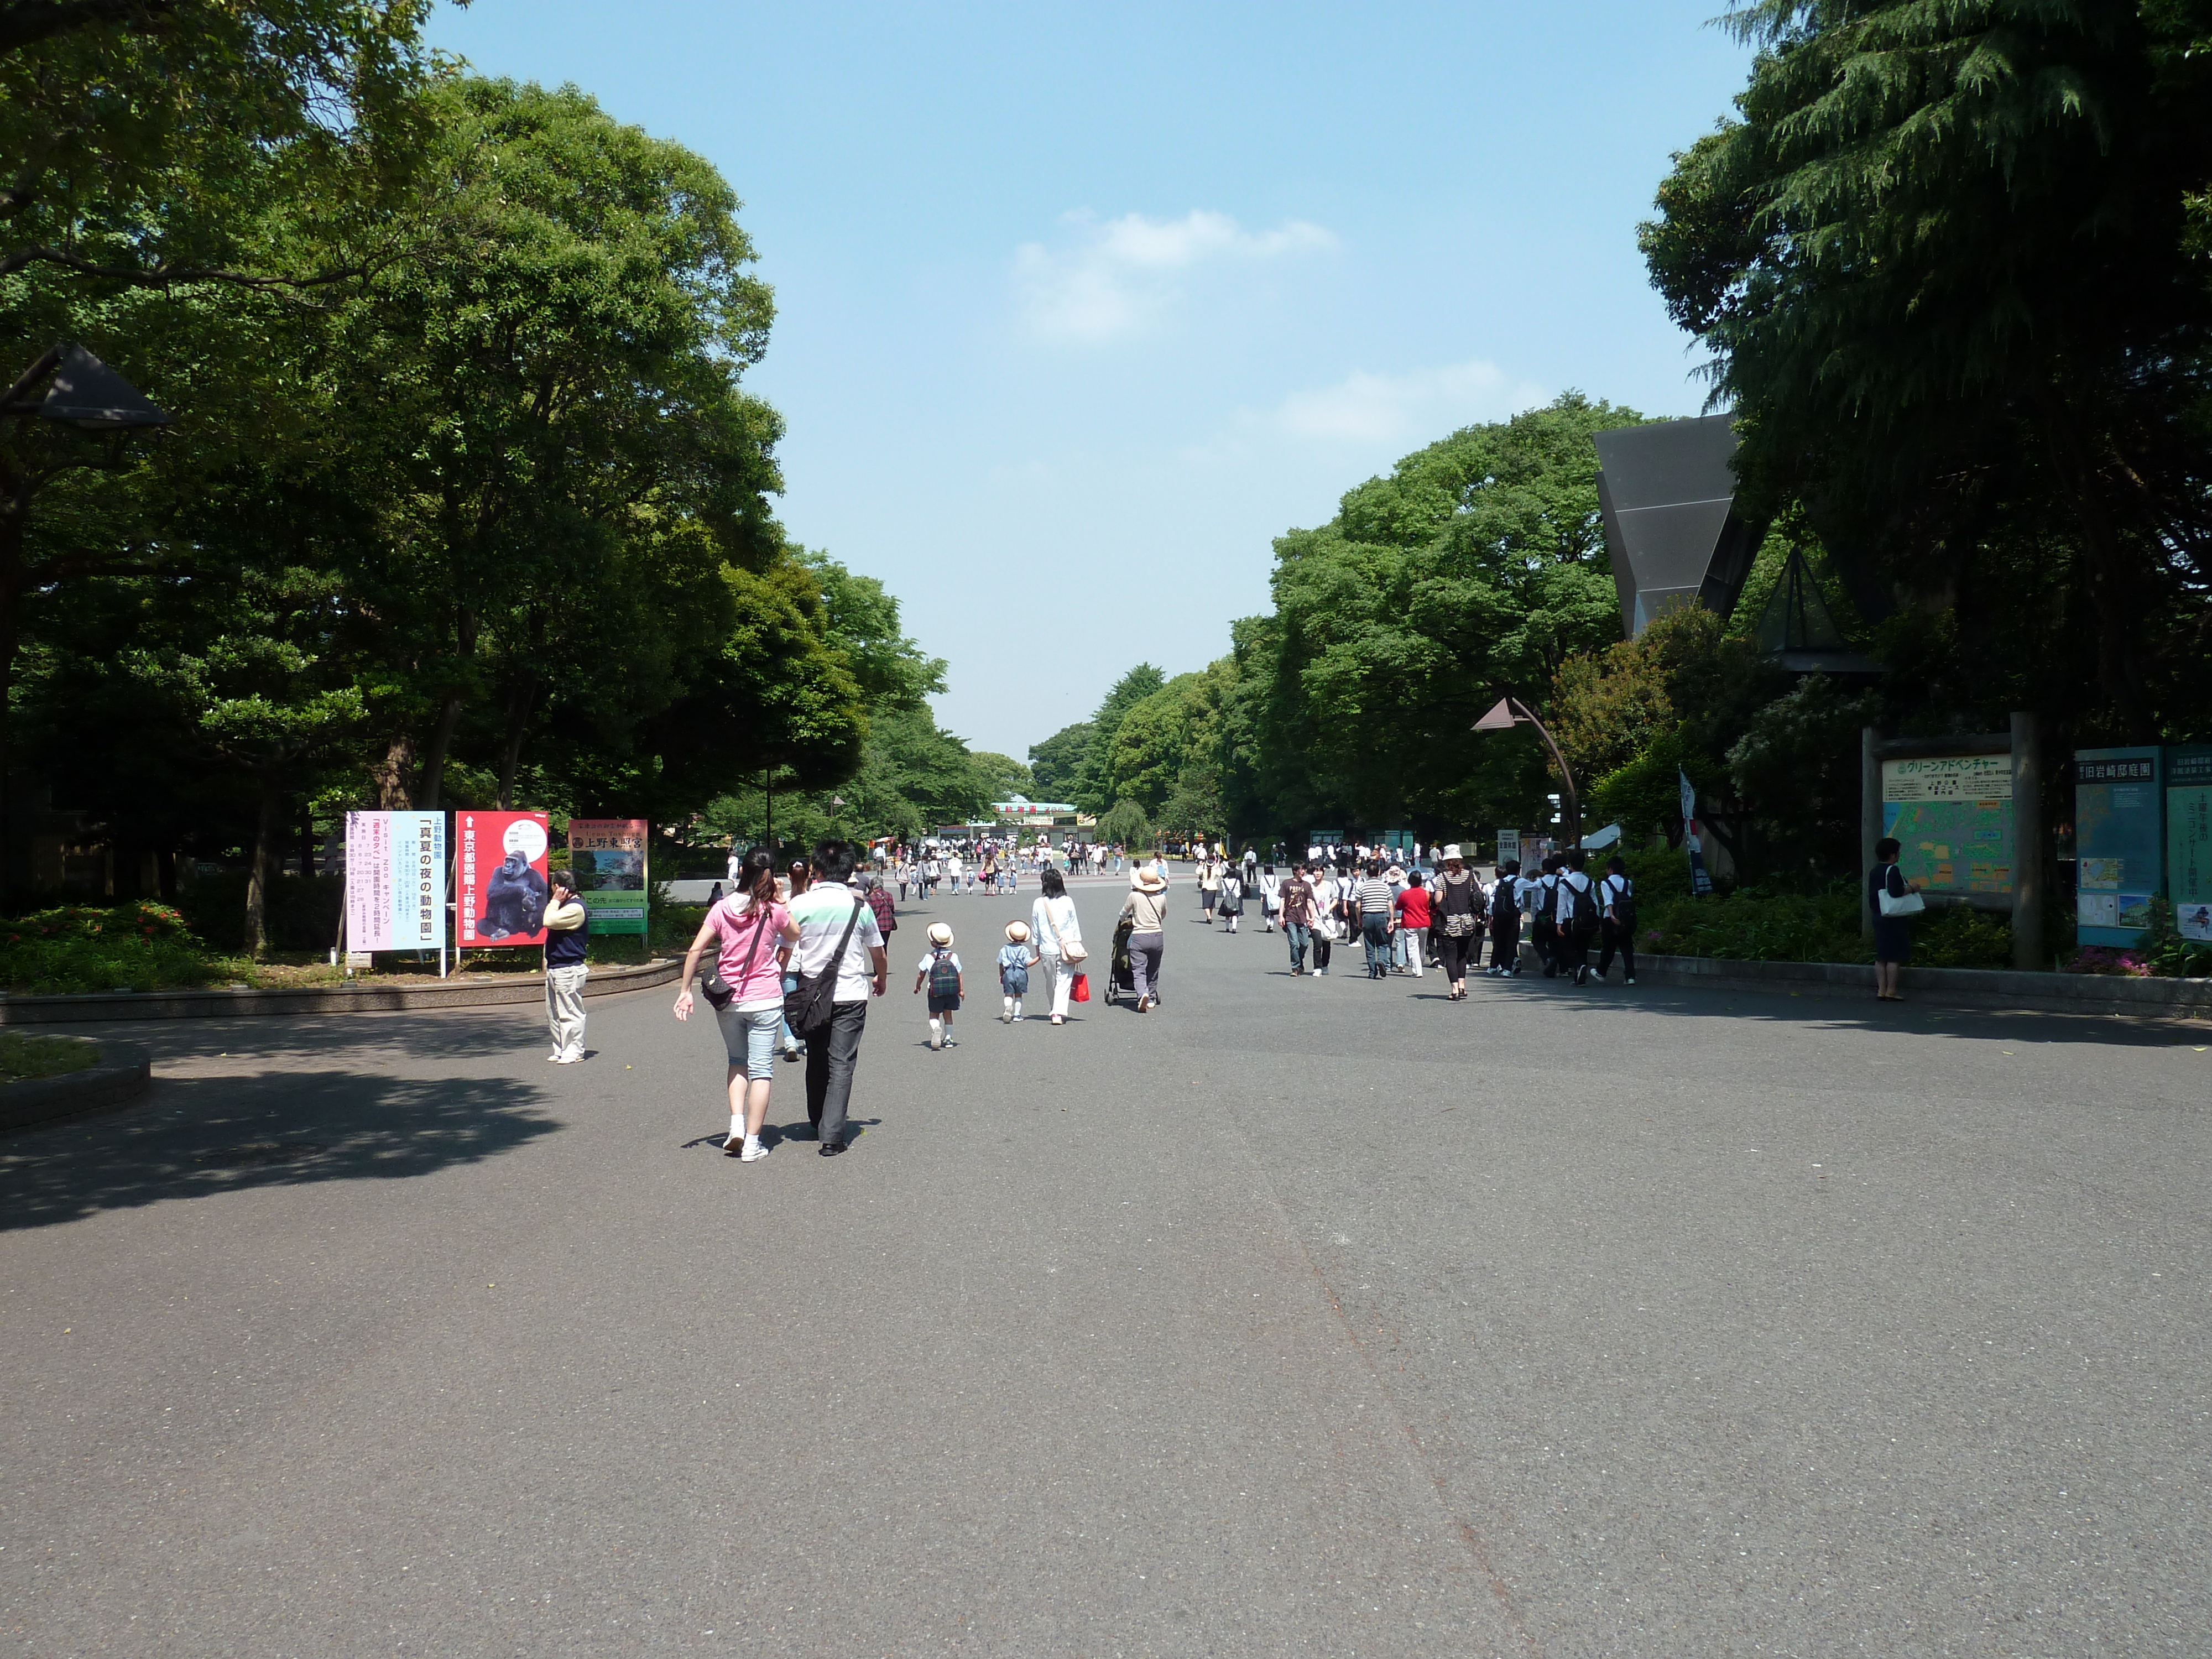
[(1304, 1317)]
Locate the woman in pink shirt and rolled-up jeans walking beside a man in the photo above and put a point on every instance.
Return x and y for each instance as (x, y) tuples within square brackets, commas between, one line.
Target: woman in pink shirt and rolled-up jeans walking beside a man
[(747, 932)]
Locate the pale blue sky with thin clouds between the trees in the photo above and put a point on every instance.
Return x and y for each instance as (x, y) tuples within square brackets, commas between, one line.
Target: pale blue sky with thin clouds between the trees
[(1083, 306)]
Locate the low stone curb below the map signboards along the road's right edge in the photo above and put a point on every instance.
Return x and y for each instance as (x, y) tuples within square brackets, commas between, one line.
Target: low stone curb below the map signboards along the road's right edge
[(1954, 988)]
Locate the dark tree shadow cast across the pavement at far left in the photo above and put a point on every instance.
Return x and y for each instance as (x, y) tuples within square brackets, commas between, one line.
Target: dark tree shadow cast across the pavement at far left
[(207, 1136)]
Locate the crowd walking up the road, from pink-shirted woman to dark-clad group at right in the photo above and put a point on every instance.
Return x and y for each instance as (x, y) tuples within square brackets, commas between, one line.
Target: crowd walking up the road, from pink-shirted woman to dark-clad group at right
[(793, 959)]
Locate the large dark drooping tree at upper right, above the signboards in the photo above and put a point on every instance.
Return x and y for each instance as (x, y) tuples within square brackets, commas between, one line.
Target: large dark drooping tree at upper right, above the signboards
[(1952, 267)]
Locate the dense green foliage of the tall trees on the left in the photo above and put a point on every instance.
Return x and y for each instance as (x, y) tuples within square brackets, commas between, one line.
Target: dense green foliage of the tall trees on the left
[(466, 501)]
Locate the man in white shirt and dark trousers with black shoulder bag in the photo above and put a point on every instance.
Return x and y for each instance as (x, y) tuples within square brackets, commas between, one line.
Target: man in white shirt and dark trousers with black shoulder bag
[(839, 963)]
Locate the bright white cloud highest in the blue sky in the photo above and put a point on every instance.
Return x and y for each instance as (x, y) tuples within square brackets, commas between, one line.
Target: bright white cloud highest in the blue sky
[(1120, 275)]
